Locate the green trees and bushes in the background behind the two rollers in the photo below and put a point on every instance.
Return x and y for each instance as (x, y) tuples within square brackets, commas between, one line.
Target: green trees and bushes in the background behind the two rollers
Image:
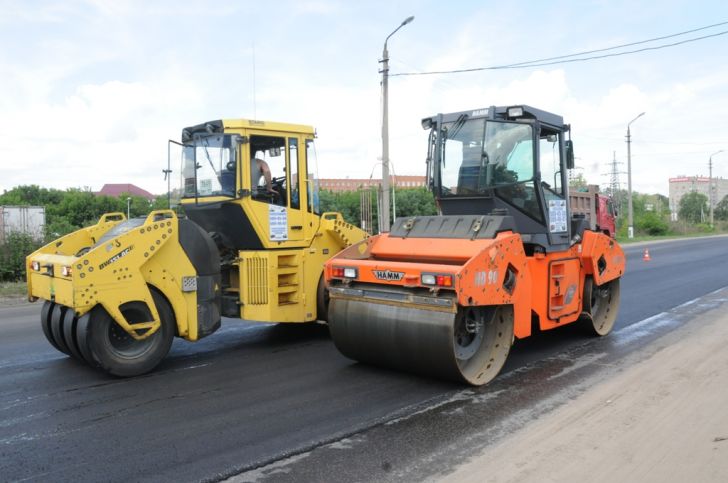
[(71, 209)]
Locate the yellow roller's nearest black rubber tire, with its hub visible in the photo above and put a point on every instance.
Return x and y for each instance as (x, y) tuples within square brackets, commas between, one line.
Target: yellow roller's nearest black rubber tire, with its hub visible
[(116, 352)]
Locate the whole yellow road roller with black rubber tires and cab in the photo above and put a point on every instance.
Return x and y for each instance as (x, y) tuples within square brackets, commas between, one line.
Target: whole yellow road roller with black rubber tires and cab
[(251, 245)]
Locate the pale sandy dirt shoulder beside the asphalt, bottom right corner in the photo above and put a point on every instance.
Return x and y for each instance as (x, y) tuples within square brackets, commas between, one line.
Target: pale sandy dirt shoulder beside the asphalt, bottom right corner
[(663, 419)]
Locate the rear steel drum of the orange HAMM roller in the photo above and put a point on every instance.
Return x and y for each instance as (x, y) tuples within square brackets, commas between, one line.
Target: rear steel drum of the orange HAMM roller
[(601, 304)]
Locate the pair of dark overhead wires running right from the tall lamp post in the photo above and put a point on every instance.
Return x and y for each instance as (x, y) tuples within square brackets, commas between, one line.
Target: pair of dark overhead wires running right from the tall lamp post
[(566, 60)]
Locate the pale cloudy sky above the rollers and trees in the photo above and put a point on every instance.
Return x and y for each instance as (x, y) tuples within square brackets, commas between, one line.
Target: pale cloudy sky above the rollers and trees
[(91, 91)]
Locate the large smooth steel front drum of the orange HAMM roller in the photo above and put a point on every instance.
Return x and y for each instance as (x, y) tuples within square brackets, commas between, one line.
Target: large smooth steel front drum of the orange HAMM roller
[(469, 346)]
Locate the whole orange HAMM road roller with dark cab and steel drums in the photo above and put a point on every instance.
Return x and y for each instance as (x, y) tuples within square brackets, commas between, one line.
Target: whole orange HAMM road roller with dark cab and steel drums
[(447, 295)]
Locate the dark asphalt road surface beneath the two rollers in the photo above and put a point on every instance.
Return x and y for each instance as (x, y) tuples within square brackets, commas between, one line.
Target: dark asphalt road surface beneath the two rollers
[(277, 402)]
